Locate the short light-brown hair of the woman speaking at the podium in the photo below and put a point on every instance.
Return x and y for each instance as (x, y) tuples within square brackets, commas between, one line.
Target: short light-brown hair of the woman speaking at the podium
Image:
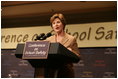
[(60, 16)]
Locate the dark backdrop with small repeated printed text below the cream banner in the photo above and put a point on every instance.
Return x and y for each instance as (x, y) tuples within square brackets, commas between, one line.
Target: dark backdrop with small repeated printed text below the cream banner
[(95, 63)]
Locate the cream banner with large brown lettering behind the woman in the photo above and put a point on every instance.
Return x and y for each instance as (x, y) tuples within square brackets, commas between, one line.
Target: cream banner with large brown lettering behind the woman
[(102, 34)]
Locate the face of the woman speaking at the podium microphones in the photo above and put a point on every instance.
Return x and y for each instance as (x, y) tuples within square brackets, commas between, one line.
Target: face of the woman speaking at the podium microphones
[(57, 25)]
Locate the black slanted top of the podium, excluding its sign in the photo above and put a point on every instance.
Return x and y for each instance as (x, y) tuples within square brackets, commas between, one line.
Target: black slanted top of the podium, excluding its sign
[(57, 54)]
